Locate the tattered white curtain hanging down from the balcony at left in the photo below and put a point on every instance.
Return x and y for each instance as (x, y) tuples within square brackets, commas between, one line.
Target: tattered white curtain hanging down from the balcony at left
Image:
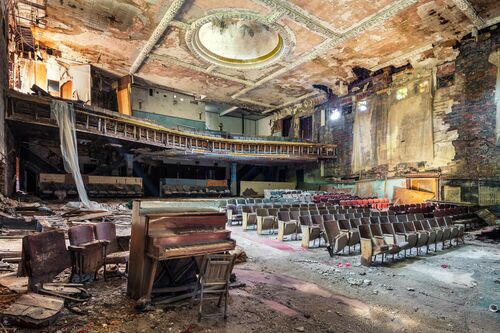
[(64, 114)]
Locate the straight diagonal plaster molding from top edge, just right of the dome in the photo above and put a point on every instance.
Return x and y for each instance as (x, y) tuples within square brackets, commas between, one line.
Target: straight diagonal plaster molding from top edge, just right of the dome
[(303, 17)]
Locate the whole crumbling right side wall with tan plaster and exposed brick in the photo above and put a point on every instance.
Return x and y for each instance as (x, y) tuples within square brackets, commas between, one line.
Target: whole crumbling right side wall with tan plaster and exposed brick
[(449, 126)]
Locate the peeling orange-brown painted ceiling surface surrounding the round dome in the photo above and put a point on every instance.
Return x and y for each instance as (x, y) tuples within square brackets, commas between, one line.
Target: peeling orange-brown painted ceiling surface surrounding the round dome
[(111, 33)]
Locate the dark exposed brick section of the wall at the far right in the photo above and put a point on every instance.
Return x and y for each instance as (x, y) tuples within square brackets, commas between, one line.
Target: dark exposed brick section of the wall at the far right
[(473, 114)]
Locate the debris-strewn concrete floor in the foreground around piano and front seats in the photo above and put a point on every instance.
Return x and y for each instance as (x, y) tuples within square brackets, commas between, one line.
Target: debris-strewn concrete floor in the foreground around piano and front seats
[(291, 289)]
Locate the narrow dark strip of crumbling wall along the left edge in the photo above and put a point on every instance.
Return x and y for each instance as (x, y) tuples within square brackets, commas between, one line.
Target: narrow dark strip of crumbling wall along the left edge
[(3, 87)]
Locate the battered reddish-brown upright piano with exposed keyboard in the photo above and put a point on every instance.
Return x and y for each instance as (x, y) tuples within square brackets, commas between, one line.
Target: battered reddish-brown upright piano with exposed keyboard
[(166, 233)]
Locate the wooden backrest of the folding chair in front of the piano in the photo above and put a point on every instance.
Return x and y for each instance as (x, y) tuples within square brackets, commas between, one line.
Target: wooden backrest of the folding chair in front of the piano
[(216, 269)]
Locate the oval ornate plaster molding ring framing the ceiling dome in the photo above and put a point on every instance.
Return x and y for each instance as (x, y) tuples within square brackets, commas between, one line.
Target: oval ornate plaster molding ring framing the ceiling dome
[(286, 34)]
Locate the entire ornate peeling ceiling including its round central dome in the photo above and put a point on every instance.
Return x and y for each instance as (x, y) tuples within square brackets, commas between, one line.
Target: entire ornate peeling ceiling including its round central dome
[(271, 52)]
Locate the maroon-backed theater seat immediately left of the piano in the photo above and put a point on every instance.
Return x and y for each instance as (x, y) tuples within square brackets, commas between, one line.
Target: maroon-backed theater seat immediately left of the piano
[(116, 249)]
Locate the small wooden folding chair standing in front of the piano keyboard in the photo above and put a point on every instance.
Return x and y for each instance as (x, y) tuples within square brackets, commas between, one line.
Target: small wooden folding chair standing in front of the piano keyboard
[(213, 278)]
